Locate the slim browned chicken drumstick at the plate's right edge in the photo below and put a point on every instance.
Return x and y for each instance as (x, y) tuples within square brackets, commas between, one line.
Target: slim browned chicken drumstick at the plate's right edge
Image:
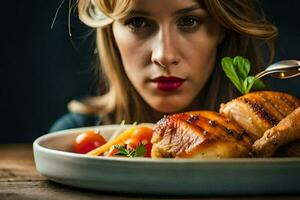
[(287, 130)]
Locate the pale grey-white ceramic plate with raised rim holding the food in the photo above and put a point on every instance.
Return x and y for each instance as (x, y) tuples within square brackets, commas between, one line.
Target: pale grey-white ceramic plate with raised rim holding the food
[(162, 176)]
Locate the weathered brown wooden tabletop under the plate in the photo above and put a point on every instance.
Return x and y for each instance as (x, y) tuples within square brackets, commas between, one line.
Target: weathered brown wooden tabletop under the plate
[(20, 180)]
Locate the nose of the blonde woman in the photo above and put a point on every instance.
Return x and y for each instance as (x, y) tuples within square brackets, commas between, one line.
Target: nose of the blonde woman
[(164, 51)]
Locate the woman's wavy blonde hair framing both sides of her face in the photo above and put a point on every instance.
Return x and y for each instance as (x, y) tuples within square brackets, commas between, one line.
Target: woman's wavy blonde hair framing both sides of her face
[(248, 34)]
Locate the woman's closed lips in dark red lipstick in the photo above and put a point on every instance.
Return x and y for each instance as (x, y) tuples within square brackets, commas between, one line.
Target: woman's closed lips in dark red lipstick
[(169, 83)]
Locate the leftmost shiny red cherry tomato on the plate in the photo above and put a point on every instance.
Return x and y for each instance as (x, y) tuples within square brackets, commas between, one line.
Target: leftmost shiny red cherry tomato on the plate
[(87, 141)]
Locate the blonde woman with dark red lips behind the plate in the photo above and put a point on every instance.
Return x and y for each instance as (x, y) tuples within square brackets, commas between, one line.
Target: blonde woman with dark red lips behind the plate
[(163, 56)]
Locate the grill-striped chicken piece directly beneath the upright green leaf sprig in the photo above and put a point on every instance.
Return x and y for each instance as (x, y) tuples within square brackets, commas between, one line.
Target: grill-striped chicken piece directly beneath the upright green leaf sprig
[(259, 111)]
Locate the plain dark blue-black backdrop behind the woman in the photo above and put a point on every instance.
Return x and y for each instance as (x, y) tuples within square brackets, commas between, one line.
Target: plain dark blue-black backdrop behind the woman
[(42, 69)]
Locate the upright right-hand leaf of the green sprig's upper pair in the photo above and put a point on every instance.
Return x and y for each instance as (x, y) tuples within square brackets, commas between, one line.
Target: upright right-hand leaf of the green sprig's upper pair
[(242, 67)]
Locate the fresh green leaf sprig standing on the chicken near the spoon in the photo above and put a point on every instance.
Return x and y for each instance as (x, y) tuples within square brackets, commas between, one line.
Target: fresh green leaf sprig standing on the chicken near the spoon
[(237, 70)]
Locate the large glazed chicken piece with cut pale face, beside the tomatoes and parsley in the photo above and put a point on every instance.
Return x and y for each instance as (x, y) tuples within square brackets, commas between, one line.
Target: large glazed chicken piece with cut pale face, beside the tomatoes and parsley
[(199, 134)]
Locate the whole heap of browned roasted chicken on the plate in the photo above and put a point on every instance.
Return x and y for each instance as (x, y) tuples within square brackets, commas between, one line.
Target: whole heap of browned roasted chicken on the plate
[(270, 120)]
